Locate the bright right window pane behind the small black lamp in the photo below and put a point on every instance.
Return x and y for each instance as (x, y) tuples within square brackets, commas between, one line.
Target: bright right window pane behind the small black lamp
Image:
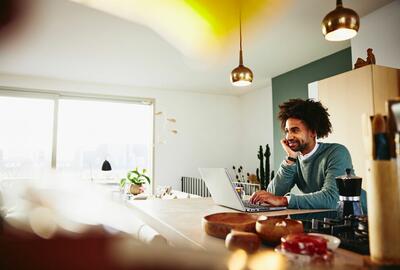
[(90, 132)]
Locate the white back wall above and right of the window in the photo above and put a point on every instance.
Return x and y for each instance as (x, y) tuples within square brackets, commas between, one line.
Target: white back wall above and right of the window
[(208, 125)]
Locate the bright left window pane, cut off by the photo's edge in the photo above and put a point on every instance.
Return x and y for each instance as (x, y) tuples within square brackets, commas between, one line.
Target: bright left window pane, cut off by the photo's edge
[(25, 136)]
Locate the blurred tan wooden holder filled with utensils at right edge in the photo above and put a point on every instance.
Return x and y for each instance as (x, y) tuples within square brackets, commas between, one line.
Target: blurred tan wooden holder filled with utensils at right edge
[(383, 197)]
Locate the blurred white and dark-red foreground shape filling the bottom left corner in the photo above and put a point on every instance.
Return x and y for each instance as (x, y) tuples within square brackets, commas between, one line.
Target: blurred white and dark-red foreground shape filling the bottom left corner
[(76, 225)]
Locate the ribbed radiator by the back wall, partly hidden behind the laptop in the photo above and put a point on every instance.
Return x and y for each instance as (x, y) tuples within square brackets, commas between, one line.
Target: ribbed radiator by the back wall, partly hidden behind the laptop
[(197, 186)]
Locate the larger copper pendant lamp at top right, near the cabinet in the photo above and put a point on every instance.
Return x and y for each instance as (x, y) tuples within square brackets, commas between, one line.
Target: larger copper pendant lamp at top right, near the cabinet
[(341, 23)]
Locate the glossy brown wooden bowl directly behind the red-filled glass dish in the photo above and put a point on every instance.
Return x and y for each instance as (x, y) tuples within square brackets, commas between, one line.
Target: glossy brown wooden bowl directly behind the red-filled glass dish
[(273, 228)]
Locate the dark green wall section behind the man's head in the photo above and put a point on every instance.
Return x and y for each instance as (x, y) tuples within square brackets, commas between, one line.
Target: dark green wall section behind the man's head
[(294, 84)]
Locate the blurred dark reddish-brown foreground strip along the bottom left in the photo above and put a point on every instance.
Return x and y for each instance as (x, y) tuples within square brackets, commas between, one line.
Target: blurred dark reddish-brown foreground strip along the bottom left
[(97, 249)]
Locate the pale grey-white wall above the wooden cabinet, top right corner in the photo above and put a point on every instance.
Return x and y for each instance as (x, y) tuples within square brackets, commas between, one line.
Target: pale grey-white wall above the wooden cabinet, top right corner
[(379, 30)]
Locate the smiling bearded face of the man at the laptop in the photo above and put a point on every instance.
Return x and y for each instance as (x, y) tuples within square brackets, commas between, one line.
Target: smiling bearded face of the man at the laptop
[(298, 136)]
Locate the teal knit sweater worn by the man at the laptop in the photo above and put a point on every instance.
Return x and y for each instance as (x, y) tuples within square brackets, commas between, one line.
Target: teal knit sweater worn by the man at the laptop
[(315, 177)]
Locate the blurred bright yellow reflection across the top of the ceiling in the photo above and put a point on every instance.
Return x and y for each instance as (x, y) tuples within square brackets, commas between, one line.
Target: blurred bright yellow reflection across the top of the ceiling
[(197, 28)]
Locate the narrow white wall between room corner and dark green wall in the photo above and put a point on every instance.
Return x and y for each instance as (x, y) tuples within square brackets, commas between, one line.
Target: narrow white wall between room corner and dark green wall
[(256, 126)]
